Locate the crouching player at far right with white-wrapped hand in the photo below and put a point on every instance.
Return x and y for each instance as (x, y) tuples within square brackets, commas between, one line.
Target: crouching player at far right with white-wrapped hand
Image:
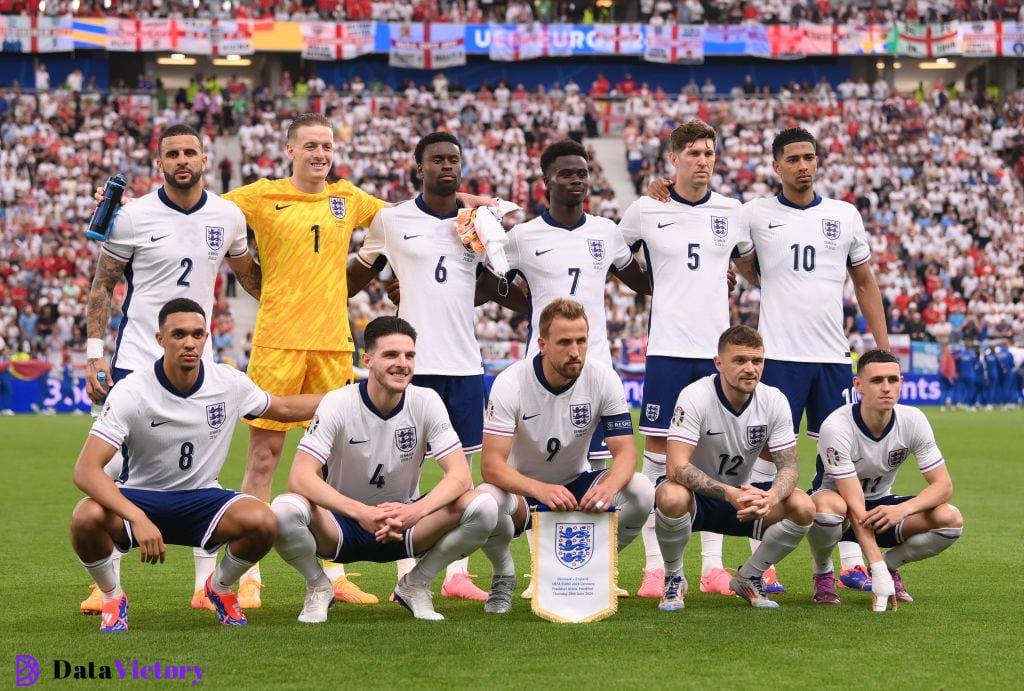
[(862, 448)]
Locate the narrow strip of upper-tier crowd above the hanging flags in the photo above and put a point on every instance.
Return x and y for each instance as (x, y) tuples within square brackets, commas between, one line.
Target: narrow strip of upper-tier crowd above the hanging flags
[(524, 12)]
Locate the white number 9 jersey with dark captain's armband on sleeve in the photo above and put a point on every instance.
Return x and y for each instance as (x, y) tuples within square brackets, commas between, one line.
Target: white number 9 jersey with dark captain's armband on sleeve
[(551, 428)]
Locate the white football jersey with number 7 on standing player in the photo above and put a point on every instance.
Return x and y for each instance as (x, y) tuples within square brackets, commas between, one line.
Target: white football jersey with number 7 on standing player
[(561, 263)]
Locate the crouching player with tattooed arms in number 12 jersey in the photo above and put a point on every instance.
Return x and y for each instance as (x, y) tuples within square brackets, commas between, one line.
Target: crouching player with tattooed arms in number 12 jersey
[(718, 429)]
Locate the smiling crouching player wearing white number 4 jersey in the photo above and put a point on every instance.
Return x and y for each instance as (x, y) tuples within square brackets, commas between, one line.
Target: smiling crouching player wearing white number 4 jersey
[(369, 442)]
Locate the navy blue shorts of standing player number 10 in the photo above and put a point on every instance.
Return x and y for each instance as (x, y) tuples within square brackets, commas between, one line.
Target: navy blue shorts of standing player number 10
[(819, 388)]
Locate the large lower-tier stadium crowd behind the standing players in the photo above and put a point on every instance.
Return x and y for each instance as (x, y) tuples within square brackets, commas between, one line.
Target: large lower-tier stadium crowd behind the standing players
[(941, 202)]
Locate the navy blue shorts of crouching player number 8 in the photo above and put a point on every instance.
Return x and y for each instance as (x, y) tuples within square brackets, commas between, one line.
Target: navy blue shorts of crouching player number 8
[(185, 516)]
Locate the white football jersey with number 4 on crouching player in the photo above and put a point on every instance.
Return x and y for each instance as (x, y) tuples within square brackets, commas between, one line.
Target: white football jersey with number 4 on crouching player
[(373, 458)]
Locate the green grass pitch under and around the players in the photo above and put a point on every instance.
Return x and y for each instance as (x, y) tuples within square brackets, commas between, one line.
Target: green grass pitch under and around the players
[(963, 632)]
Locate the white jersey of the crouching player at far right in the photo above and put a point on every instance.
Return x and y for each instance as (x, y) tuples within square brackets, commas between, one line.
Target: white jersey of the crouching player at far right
[(848, 449)]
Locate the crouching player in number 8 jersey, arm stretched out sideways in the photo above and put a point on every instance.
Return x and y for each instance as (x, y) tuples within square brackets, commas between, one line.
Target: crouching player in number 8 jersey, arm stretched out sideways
[(174, 424)]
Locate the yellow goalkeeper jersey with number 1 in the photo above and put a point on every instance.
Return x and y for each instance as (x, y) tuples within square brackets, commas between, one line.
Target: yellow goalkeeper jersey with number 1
[(304, 250)]
